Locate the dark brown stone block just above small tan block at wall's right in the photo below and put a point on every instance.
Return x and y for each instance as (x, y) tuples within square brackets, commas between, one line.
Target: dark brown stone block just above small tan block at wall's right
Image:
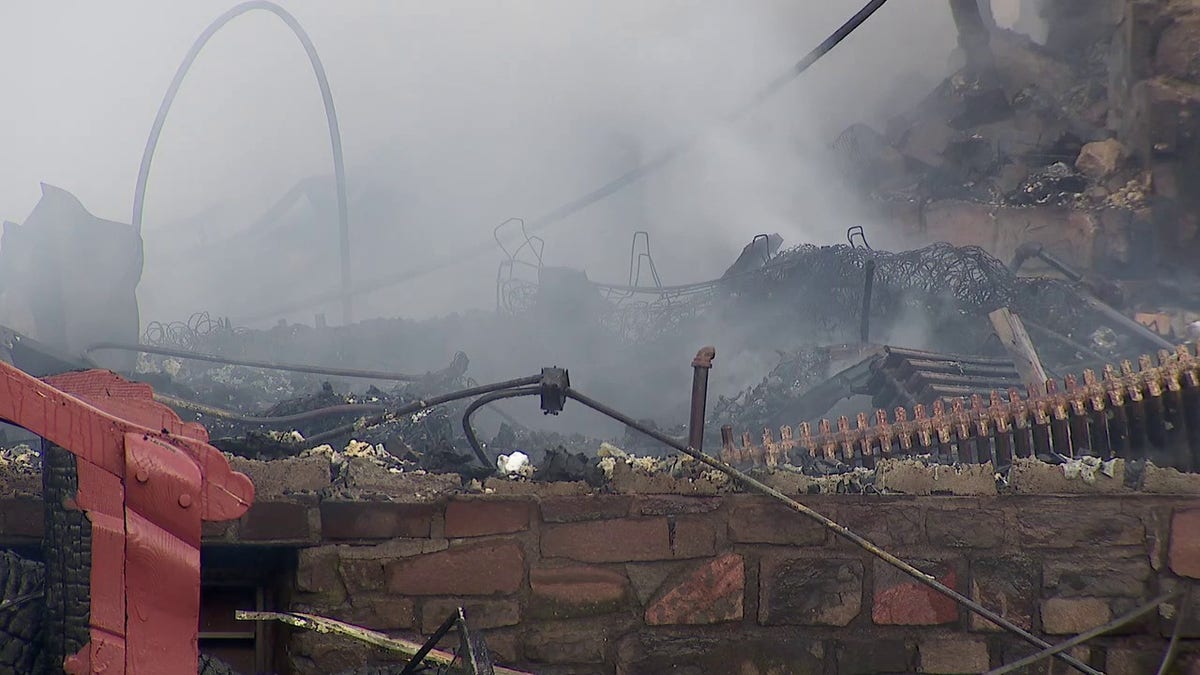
[(1088, 576)]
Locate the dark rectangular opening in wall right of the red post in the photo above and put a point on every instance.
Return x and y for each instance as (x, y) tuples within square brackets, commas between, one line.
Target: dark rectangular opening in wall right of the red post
[(244, 578)]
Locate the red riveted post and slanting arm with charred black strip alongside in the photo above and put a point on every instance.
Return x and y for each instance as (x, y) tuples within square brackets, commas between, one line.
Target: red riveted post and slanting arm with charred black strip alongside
[(128, 488)]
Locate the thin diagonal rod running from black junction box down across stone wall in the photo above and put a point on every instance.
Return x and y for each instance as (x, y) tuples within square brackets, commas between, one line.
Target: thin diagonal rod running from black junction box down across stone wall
[(833, 527)]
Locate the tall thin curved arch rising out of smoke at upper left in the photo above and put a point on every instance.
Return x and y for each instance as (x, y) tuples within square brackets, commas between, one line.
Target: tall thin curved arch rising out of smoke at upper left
[(335, 135)]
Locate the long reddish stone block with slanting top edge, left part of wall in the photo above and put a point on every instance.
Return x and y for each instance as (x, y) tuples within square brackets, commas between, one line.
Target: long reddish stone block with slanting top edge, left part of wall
[(473, 570)]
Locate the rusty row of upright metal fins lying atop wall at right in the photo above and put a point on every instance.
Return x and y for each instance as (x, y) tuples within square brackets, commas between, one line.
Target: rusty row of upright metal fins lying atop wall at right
[(1151, 414)]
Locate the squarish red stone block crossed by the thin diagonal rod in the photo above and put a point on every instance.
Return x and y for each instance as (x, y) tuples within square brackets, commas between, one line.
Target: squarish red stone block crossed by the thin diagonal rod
[(903, 601)]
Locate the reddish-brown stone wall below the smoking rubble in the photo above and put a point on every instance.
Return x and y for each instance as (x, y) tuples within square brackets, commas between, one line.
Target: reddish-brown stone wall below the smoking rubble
[(566, 582)]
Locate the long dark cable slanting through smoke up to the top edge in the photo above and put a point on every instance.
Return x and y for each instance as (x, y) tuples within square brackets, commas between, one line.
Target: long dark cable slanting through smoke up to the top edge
[(580, 204)]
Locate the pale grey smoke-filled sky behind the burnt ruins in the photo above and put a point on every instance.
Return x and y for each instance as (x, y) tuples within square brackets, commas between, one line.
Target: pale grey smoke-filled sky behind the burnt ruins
[(471, 112)]
